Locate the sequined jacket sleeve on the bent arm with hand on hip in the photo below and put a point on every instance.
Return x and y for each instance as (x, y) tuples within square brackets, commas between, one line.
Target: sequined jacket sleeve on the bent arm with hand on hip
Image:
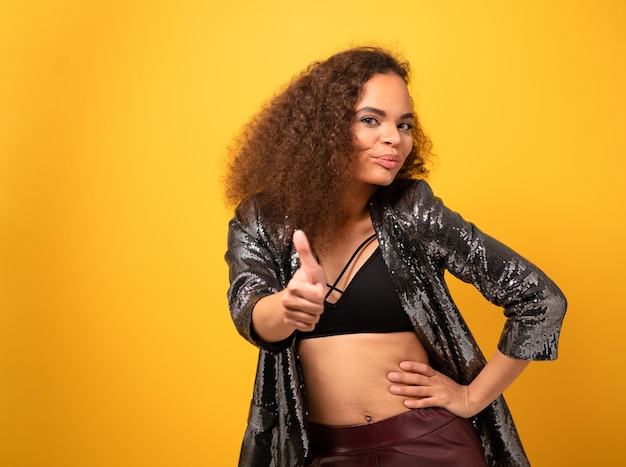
[(533, 304)]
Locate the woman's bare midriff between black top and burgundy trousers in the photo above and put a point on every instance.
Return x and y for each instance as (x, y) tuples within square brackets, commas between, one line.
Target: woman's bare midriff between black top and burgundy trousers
[(346, 375)]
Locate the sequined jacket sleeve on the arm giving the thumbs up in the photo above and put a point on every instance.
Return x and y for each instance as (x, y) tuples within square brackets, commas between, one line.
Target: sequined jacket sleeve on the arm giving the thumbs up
[(253, 273)]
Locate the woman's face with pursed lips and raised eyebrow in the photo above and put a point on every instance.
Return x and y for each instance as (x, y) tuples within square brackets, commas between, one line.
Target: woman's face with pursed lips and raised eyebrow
[(382, 129)]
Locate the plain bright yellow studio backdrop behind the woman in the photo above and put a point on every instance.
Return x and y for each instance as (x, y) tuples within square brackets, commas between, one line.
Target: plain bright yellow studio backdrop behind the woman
[(116, 345)]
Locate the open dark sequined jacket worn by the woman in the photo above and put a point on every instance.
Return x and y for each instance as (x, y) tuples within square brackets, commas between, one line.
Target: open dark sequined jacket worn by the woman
[(419, 238)]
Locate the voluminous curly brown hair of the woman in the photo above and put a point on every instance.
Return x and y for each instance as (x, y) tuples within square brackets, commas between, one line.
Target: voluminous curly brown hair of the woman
[(298, 148)]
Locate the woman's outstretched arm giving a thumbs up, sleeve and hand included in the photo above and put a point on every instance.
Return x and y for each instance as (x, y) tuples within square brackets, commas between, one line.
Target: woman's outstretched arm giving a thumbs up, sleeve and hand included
[(265, 313)]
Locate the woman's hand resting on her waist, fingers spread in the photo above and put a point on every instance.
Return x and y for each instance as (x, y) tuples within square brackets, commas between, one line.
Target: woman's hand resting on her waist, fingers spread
[(425, 387)]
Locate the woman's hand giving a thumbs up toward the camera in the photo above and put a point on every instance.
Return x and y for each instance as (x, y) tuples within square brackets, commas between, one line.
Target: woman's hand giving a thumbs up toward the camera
[(303, 299)]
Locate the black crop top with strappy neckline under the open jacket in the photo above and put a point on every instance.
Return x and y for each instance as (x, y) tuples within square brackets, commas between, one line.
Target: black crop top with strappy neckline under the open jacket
[(369, 304)]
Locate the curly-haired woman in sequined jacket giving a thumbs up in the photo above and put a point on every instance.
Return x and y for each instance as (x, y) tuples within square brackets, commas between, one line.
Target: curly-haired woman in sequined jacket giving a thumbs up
[(337, 254)]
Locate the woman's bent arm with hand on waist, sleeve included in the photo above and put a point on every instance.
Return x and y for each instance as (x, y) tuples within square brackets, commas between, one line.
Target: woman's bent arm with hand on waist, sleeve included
[(533, 305)]
